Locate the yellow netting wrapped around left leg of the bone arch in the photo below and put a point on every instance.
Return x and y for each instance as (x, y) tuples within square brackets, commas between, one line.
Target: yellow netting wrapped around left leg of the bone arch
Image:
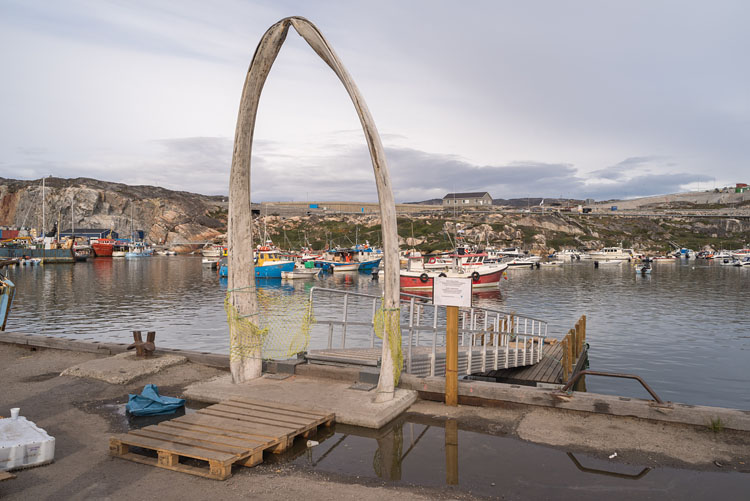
[(279, 329)]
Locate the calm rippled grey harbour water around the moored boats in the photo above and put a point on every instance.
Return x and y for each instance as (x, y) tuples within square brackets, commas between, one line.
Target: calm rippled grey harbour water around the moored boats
[(684, 329)]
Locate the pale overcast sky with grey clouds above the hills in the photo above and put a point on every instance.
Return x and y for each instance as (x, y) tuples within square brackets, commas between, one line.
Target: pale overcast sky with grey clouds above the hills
[(541, 98)]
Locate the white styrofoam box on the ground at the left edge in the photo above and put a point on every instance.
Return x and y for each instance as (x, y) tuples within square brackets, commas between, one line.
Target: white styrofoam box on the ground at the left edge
[(22, 444)]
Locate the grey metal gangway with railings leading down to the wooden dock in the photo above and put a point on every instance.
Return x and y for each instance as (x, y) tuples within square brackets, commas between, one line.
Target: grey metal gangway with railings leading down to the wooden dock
[(343, 333)]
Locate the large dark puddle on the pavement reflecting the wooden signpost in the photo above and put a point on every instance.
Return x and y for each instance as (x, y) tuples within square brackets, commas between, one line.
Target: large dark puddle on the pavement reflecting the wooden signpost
[(412, 453)]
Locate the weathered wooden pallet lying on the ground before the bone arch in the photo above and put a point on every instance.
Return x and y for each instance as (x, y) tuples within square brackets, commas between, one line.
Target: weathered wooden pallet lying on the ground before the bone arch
[(237, 431)]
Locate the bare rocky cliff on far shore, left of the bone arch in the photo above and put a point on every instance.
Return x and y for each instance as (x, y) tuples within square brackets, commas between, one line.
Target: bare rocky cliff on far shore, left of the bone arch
[(166, 217)]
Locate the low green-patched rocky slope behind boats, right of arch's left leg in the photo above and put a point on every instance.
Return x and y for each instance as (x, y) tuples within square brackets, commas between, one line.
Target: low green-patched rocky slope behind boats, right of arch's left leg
[(539, 233)]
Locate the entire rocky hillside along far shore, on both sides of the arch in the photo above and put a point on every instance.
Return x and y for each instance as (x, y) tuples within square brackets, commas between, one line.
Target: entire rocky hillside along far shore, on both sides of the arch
[(174, 218)]
